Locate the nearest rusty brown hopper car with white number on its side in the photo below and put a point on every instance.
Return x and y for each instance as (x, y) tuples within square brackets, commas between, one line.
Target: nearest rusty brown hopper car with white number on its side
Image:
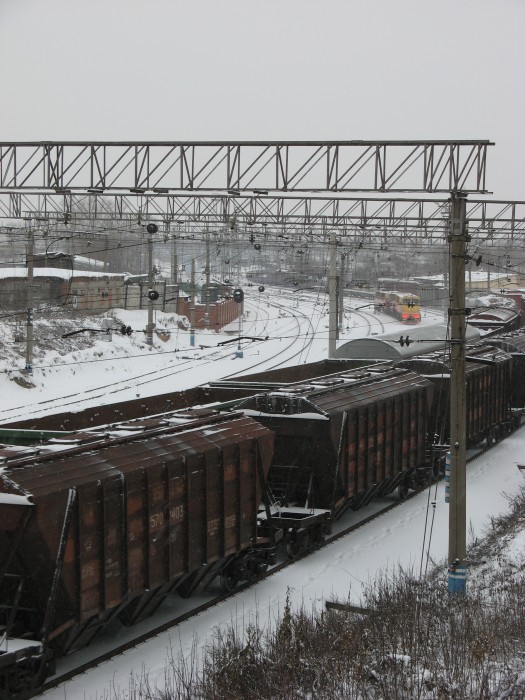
[(105, 526)]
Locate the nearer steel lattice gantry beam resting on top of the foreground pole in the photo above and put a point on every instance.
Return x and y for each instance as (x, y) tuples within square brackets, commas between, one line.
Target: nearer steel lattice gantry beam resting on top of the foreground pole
[(307, 166)]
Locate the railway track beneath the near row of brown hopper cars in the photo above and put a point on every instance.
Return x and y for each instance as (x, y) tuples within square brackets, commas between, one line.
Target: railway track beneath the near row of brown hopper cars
[(67, 675)]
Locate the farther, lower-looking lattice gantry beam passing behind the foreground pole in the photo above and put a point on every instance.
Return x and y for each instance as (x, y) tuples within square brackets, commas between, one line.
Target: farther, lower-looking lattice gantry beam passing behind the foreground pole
[(421, 218)]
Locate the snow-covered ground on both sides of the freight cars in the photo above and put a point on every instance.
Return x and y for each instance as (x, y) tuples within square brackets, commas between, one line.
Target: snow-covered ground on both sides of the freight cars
[(297, 332)]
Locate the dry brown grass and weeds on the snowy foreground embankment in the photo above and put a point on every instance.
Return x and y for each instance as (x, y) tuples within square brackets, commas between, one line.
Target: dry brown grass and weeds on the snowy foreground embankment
[(416, 642)]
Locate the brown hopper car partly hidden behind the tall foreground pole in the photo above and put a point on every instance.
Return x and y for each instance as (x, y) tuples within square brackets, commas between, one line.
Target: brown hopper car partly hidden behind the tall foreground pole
[(488, 392)]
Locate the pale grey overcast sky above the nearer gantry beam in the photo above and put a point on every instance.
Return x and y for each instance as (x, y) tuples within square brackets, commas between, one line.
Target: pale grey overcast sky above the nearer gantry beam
[(273, 69)]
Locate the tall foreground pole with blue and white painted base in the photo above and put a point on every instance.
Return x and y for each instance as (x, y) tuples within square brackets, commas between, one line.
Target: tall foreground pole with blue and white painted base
[(457, 543)]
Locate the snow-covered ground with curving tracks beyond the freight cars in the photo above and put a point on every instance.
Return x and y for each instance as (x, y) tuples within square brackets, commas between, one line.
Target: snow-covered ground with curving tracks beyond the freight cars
[(94, 372)]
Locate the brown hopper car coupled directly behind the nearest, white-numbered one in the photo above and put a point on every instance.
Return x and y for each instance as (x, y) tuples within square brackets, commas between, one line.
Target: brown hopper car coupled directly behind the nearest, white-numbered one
[(341, 442)]
